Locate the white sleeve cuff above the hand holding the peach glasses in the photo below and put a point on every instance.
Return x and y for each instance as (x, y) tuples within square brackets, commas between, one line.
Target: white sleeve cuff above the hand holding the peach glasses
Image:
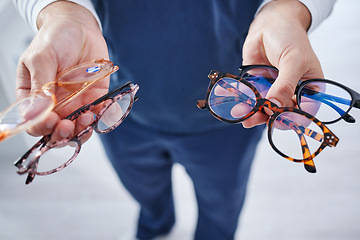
[(30, 9)]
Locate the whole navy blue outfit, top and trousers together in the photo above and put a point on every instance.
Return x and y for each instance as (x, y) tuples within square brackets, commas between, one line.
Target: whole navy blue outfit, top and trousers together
[(168, 47)]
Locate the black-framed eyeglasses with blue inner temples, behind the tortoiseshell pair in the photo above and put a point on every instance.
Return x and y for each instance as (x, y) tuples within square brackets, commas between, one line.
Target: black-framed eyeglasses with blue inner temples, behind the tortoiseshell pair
[(328, 100)]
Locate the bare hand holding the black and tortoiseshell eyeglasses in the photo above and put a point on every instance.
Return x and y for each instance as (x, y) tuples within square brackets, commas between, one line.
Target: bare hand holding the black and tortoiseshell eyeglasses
[(278, 37)]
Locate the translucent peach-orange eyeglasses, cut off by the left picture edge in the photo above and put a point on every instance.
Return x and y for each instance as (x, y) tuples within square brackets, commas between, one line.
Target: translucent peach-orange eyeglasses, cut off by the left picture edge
[(69, 84)]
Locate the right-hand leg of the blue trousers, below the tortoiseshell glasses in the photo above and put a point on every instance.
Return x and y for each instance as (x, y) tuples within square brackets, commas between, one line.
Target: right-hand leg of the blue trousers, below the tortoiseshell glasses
[(219, 163)]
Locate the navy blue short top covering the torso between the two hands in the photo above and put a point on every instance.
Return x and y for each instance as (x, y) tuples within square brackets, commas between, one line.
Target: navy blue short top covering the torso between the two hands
[(168, 47)]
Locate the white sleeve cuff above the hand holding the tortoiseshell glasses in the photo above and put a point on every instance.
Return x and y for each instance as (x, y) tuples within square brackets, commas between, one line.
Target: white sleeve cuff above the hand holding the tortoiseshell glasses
[(319, 10)]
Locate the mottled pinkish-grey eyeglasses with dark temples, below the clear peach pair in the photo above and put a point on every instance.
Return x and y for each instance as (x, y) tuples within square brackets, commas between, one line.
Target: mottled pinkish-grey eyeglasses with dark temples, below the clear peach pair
[(109, 111)]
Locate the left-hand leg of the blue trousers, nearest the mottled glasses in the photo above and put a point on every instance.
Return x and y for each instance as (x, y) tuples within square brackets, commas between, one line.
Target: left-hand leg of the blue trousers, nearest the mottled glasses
[(144, 168)]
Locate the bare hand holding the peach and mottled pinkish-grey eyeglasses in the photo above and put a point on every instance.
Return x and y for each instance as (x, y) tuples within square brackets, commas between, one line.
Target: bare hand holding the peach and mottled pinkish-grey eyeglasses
[(68, 35)]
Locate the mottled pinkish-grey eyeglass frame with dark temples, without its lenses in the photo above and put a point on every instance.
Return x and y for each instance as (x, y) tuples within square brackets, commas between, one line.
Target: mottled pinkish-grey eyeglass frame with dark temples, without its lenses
[(42, 147)]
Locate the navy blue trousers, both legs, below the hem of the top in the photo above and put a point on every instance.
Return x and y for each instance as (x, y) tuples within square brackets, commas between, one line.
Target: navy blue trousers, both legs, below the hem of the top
[(218, 162)]
